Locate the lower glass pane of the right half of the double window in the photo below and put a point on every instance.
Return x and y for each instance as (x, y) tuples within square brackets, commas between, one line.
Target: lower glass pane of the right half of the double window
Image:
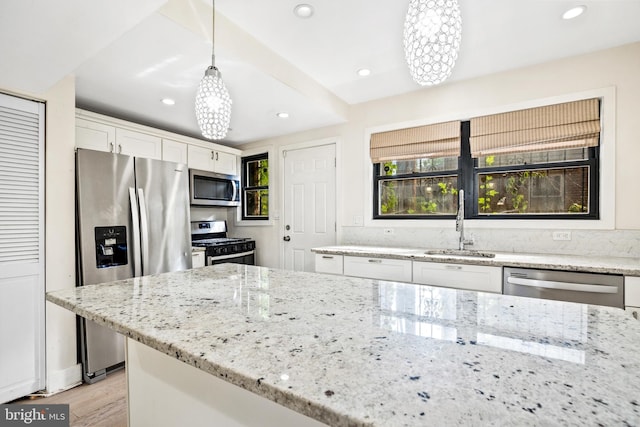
[(541, 191)]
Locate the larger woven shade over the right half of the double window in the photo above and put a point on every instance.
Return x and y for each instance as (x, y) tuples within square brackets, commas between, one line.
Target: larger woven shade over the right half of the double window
[(554, 127)]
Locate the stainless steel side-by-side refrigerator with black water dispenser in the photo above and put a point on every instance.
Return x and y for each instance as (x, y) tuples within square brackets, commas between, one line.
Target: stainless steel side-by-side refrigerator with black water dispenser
[(132, 220)]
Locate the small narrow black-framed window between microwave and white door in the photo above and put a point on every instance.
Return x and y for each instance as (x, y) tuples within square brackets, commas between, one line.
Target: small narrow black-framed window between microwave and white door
[(255, 187)]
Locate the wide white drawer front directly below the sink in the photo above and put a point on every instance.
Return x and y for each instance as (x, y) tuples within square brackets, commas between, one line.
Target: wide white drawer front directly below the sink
[(459, 276)]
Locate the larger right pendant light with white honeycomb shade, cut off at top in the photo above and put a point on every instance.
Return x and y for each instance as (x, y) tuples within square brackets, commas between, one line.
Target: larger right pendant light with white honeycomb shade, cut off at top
[(432, 34)]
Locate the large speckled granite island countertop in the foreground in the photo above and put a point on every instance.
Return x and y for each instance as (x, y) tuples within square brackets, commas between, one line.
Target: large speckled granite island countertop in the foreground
[(350, 351)]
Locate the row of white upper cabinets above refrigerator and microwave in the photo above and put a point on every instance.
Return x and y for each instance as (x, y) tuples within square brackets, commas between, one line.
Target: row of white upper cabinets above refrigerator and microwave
[(103, 133)]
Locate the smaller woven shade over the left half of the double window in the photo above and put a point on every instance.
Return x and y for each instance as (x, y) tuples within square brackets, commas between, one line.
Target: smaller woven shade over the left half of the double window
[(437, 140)]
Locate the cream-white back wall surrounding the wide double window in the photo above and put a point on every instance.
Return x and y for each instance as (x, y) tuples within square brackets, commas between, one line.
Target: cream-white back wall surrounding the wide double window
[(618, 68)]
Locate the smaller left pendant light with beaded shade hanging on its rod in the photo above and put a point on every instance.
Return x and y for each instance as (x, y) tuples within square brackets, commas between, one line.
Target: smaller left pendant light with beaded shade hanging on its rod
[(213, 103)]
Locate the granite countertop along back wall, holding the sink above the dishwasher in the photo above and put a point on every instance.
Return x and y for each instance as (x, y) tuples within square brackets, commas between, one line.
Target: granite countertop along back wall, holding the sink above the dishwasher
[(612, 265)]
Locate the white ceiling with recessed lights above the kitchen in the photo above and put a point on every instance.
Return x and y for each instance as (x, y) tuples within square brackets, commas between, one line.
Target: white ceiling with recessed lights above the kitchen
[(127, 56)]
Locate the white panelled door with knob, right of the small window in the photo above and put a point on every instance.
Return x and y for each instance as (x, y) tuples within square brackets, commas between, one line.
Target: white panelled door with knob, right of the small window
[(309, 204)]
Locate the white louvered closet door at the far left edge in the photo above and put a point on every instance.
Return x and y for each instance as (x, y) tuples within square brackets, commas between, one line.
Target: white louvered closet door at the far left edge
[(21, 247)]
